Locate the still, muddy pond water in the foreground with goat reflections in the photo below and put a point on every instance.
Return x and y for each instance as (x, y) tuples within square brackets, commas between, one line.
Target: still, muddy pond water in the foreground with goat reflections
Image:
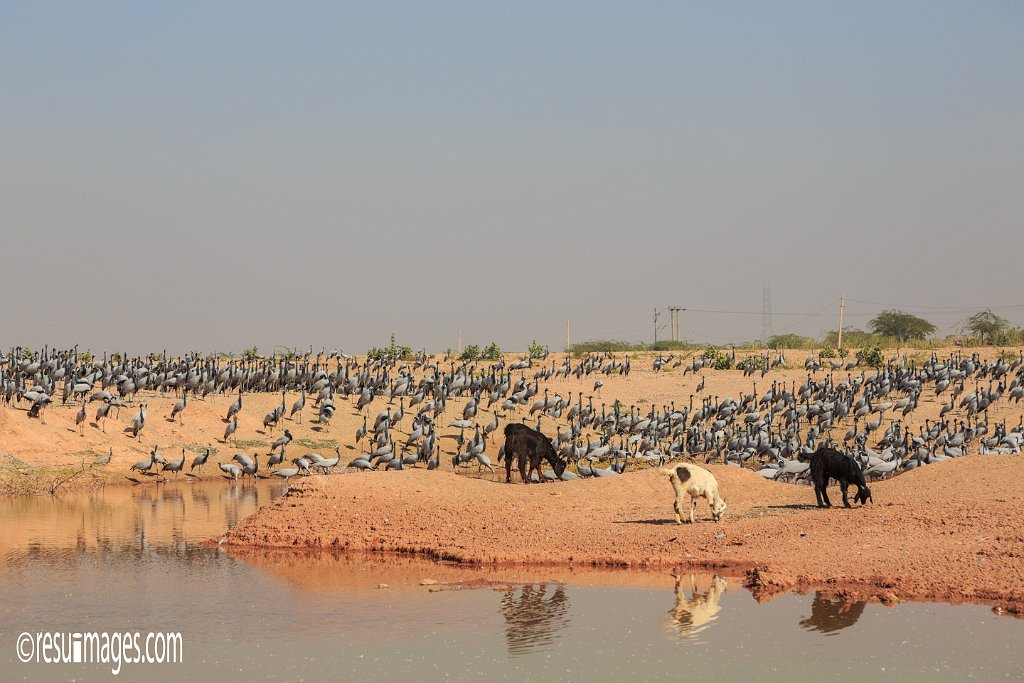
[(133, 559)]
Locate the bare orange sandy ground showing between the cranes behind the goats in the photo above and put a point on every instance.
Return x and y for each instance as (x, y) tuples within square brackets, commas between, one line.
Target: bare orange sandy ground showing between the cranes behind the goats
[(34, 456)]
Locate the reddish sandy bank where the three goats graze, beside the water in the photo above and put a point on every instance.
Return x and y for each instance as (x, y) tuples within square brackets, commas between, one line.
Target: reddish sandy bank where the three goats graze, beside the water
[(928, 536)]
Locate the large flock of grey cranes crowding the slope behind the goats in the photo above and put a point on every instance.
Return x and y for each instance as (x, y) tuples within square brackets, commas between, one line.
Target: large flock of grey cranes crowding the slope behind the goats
[(872, 413)]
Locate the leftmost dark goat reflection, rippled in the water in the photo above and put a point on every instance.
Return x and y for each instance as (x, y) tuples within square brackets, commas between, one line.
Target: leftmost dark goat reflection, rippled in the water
[(534, 618)]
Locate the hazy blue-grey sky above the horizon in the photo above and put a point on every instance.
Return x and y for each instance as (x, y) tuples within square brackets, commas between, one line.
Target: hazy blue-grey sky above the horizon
[(217, 176)]
